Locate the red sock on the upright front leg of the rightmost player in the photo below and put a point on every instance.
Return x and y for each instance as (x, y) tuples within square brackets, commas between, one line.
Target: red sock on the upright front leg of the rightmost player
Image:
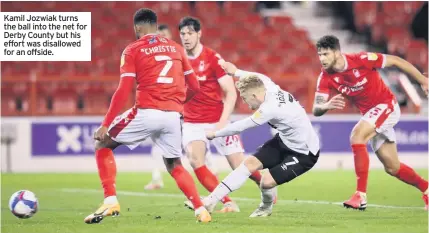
[(361, 158)]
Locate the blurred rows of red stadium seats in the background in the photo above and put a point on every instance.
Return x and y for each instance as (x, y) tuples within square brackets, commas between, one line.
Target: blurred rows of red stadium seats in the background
[(272, 46)]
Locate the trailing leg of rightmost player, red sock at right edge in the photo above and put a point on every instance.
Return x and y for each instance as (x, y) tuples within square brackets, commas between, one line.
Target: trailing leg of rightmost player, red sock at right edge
[(388, 155)]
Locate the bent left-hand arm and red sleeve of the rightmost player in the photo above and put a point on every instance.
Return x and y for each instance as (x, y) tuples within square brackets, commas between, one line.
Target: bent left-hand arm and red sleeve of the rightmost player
[(322, 104)]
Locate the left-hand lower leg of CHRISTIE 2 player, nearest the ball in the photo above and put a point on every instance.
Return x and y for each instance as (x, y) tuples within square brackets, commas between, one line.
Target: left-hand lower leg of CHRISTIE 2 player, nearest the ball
[(107, 171)]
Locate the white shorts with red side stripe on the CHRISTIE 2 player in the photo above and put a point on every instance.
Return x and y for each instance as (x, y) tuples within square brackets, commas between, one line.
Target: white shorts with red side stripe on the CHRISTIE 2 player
[(135, 125)]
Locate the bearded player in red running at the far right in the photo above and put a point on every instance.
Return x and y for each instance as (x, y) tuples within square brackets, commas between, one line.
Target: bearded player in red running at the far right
[(355, 77)]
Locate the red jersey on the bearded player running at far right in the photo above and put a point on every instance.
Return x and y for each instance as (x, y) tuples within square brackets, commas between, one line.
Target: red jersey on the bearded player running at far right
[(359, 81)]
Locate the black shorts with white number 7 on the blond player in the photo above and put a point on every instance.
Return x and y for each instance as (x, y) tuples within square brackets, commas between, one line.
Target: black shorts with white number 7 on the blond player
[(284, 163)]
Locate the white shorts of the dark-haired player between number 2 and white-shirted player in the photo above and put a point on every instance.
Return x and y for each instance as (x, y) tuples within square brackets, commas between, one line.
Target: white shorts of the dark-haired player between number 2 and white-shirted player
[(224, 145)]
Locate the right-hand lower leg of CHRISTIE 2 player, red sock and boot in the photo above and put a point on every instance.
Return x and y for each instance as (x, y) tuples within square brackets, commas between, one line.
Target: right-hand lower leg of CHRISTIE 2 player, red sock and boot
[(187, 185)]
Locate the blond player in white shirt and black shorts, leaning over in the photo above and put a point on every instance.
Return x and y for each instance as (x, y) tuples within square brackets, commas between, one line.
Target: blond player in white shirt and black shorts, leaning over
[(289, 154)]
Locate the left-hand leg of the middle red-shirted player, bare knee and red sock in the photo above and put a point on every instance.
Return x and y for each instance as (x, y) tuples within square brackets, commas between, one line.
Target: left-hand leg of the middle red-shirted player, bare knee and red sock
[(196, 151)]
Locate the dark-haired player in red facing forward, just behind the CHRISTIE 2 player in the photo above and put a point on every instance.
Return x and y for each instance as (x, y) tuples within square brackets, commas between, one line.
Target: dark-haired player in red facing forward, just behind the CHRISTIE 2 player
[(210, 109)]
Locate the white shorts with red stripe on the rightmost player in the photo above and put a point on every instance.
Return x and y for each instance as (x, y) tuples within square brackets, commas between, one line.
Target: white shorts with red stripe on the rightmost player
[(384, 117)]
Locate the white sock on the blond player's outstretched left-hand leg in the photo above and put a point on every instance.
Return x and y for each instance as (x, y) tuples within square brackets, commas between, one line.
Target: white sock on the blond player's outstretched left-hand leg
[(232, 182)]
